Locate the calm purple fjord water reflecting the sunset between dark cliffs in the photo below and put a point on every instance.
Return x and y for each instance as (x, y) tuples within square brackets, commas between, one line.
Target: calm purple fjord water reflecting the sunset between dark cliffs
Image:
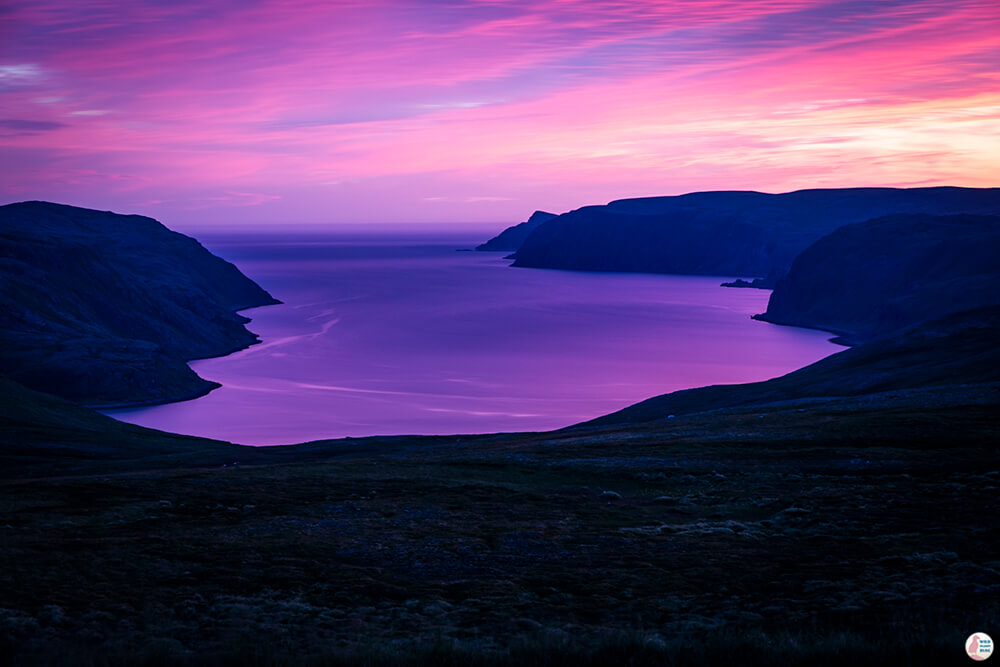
[(397, 332)]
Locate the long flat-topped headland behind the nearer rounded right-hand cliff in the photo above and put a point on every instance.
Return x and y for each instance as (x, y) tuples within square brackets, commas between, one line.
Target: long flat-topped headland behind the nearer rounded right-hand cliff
[(725, 233)]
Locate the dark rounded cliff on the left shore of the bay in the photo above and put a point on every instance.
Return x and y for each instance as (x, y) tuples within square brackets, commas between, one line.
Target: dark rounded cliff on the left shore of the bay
[(106, 309)]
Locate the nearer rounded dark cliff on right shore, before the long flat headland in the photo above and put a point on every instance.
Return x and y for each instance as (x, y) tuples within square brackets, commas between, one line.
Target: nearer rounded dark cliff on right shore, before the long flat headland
[(869, 279)]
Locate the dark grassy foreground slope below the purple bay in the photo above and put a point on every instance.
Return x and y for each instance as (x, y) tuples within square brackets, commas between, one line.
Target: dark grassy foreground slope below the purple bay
[(819, 531)]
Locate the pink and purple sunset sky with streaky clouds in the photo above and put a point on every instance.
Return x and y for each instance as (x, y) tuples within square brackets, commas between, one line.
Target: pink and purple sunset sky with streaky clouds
[(302, 112)]
